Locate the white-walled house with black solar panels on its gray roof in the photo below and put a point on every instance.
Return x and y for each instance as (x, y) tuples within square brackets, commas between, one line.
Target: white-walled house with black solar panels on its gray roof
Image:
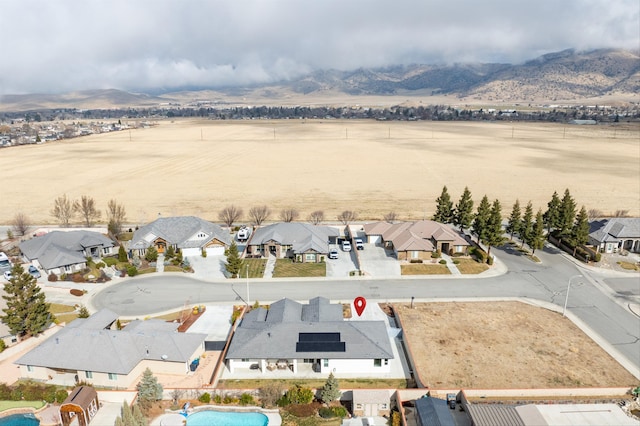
[(308, 338)]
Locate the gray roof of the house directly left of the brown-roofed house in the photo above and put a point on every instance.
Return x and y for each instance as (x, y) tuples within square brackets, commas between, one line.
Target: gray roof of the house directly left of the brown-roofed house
[(303, 237)]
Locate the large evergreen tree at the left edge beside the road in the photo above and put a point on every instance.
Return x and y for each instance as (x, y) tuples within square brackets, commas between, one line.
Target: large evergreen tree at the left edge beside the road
[(27, 312)]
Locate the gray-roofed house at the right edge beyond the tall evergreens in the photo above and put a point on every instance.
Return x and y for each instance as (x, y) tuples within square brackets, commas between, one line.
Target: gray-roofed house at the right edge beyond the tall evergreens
[(615, 234)]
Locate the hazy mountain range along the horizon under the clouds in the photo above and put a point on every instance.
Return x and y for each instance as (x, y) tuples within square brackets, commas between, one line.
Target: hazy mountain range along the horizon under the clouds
[(567, 76)]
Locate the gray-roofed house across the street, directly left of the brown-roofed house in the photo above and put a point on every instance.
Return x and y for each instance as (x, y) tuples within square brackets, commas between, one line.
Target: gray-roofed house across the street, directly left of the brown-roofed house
[(300, 241)]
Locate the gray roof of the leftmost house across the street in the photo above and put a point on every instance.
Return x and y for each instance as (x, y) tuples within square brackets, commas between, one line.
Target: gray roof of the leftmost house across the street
[(61, 248)]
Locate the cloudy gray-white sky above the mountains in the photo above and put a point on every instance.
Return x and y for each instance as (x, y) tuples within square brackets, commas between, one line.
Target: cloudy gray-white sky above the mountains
[(53, 46)]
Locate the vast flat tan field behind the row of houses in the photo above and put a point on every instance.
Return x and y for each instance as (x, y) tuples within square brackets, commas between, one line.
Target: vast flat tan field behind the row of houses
[(197, 167)]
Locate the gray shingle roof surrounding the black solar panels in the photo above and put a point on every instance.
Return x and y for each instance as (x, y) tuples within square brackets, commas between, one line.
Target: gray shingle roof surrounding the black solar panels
[(274, 334)]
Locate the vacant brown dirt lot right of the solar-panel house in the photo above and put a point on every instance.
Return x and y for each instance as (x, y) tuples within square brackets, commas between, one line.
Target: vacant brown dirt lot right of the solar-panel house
[(504, 345)]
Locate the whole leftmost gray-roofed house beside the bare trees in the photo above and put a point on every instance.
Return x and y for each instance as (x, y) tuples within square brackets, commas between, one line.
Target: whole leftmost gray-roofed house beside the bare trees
[(61, 252)]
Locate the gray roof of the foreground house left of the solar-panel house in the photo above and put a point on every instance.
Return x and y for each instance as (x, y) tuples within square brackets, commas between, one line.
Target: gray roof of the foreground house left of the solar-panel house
[(88, 346)]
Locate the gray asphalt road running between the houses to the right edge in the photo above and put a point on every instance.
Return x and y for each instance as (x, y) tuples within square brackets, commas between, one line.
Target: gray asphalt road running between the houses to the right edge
[(597, 298)]
